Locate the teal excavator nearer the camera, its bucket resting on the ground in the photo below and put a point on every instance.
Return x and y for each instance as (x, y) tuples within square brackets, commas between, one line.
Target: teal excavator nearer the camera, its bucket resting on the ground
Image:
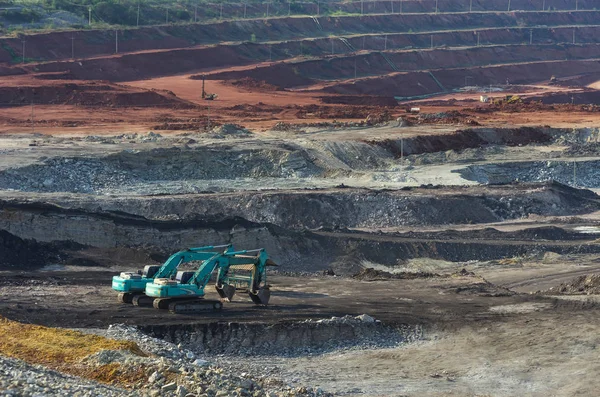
[(237, 271)]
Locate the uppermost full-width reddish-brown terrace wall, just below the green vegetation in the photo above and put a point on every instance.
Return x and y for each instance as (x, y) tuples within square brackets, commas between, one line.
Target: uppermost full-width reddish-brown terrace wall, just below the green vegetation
[(57, 45)]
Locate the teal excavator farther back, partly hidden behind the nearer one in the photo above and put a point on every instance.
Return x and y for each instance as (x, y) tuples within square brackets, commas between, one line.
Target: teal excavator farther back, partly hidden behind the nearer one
[(132, 285)]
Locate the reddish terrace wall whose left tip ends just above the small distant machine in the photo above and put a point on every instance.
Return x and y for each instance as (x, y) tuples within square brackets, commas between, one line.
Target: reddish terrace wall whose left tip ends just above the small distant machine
[(291, 75)]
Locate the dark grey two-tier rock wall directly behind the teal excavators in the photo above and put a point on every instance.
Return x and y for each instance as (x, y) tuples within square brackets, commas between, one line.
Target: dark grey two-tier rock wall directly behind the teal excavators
[(108, 225)]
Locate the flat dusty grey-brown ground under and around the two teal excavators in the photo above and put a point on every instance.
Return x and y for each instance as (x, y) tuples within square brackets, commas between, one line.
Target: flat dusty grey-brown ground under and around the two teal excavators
[(477, 338)]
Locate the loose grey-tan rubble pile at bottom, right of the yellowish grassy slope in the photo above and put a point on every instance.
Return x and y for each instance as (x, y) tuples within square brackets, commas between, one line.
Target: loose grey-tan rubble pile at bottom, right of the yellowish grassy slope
[(173, 370)]
